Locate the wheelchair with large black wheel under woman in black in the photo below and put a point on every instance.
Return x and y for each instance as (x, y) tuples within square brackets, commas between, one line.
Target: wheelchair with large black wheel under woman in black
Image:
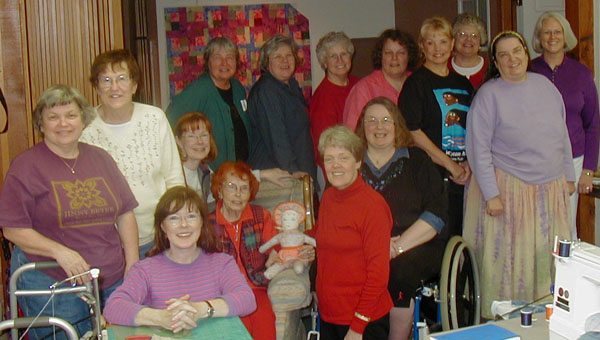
[(457, 294)]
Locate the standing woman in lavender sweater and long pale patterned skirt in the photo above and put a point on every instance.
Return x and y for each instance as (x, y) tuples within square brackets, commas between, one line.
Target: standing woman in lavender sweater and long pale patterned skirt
[(518, 200)]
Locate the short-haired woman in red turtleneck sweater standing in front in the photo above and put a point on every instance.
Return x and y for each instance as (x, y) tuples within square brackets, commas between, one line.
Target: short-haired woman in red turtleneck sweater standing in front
[(353, 233)]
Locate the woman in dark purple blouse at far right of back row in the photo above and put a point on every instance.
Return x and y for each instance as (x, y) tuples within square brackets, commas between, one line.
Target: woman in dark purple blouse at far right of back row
[(552, 38)]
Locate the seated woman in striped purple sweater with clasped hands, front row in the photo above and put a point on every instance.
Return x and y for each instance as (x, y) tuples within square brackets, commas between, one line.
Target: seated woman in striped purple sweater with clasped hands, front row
[(184, 278)]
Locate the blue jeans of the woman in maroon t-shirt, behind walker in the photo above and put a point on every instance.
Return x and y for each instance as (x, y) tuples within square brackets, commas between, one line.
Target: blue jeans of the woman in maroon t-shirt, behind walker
[(66, 306)]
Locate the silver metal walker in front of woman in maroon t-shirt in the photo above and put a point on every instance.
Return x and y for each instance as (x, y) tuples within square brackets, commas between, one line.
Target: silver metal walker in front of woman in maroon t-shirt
[(88, 293)]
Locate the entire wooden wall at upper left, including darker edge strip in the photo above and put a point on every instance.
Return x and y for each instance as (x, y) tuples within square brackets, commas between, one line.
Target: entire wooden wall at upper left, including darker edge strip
[(44, 42)]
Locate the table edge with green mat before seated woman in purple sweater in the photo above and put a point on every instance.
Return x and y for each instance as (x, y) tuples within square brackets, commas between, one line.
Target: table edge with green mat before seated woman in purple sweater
[(215, 328)]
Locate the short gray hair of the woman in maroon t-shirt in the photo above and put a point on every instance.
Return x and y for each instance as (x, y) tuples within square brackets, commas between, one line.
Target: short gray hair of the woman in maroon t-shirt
[(57, 95)]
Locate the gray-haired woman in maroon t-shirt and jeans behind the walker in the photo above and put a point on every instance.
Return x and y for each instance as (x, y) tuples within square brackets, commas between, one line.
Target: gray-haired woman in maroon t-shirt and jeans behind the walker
[(61, 201)]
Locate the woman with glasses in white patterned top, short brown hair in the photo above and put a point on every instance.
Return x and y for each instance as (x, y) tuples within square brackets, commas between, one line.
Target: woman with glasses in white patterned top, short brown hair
[(137, 136)]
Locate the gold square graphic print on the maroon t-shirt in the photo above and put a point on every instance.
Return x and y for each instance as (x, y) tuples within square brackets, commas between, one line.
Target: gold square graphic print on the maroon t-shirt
[(84, 203)]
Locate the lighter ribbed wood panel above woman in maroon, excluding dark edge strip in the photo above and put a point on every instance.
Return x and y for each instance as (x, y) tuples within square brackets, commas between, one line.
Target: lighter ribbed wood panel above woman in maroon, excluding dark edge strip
[(64, 36)]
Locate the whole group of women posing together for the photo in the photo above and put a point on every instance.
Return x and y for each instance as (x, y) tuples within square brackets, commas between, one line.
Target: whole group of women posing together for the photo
[(396, 148)]
